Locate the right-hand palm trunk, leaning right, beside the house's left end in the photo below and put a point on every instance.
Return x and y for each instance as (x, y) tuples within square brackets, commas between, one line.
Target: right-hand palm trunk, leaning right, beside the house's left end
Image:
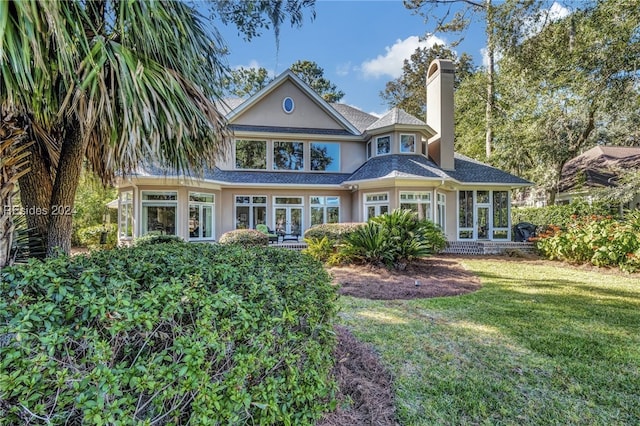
[(64, 193)]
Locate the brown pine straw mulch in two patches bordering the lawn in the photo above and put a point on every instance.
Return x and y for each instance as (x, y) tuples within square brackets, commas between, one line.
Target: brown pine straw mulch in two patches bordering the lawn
[(365, 395)]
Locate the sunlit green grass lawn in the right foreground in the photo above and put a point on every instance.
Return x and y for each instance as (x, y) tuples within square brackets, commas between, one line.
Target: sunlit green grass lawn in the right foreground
[(544, 345)]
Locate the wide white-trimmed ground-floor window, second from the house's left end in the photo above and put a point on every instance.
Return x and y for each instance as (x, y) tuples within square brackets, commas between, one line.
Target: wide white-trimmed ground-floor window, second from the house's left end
[(159, 212)]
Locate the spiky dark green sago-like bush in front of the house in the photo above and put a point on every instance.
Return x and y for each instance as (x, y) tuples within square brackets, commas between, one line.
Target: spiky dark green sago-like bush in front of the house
[(393, 240)]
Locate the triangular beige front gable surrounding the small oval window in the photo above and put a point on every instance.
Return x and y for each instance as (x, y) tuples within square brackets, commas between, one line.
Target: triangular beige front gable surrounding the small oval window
[(311, 111)]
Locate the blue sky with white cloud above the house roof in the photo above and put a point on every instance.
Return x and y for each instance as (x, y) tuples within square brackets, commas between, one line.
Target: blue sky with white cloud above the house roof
[(360, 45)]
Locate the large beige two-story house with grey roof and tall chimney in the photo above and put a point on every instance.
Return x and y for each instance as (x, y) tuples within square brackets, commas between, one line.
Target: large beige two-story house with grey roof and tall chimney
[(298, 161)]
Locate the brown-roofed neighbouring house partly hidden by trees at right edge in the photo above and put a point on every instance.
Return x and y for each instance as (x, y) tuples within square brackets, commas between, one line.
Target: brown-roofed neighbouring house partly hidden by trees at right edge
[(600, 167)]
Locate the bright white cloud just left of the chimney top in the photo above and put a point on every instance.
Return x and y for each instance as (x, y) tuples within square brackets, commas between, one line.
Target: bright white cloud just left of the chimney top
[(390, 64)]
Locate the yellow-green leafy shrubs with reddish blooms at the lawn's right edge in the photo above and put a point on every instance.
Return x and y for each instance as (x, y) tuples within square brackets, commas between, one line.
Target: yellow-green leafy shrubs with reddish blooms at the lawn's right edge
[(599, 240)]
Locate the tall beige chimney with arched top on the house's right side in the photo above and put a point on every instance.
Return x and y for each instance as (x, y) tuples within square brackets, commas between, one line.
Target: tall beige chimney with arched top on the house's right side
[(440, 112)]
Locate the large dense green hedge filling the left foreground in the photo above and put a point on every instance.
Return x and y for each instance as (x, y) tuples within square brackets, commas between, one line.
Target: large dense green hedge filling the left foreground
[(167, 334)]
